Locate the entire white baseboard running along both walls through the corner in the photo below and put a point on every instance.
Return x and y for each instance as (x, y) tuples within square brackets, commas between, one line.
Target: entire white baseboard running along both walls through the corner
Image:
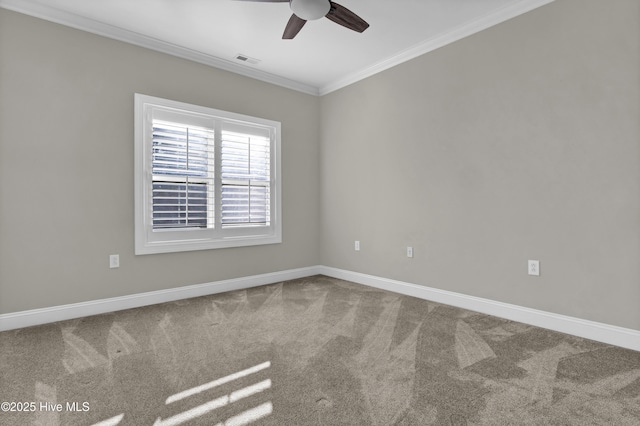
[(618, 336)]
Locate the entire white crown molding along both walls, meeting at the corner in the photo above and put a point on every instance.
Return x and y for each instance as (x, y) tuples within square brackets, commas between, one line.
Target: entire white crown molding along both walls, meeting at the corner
[(85, 24)]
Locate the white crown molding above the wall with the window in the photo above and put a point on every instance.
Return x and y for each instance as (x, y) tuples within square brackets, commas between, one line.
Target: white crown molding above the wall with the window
[(89, 25)]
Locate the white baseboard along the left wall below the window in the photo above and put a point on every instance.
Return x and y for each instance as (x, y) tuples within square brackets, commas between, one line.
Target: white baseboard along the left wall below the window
[(77, 310)]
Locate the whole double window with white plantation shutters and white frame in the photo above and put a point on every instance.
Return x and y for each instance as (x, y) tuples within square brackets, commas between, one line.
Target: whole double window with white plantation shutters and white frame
[(204, 178)]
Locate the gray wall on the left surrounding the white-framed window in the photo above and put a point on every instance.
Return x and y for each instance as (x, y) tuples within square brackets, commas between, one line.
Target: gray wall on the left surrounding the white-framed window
[(66, 166)]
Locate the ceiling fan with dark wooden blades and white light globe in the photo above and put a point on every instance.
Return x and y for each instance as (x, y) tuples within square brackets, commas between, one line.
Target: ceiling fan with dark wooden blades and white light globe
[(309, 10)]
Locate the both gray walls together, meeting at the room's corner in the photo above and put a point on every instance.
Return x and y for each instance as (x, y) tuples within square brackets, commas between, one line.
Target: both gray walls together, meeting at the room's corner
[(520, 142)]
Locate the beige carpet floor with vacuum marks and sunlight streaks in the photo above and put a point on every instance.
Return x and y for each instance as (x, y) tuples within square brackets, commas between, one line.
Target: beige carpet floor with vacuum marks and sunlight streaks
[(314, 351)]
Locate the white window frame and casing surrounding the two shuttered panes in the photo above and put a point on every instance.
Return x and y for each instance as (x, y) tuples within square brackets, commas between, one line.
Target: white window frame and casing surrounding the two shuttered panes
[(148, 240)]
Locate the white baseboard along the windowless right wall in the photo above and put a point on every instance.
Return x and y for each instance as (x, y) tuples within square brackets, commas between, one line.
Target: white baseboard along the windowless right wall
[(618, 336)]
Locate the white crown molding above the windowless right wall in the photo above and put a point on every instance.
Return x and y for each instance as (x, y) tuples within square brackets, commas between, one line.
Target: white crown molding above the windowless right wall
[(503, 14)]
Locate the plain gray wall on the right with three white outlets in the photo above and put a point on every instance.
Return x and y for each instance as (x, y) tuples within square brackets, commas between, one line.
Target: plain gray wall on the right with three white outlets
[(520, 142)]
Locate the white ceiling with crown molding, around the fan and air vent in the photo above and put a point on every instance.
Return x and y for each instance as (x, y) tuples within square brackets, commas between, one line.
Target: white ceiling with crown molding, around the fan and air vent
[(323, 57)]
